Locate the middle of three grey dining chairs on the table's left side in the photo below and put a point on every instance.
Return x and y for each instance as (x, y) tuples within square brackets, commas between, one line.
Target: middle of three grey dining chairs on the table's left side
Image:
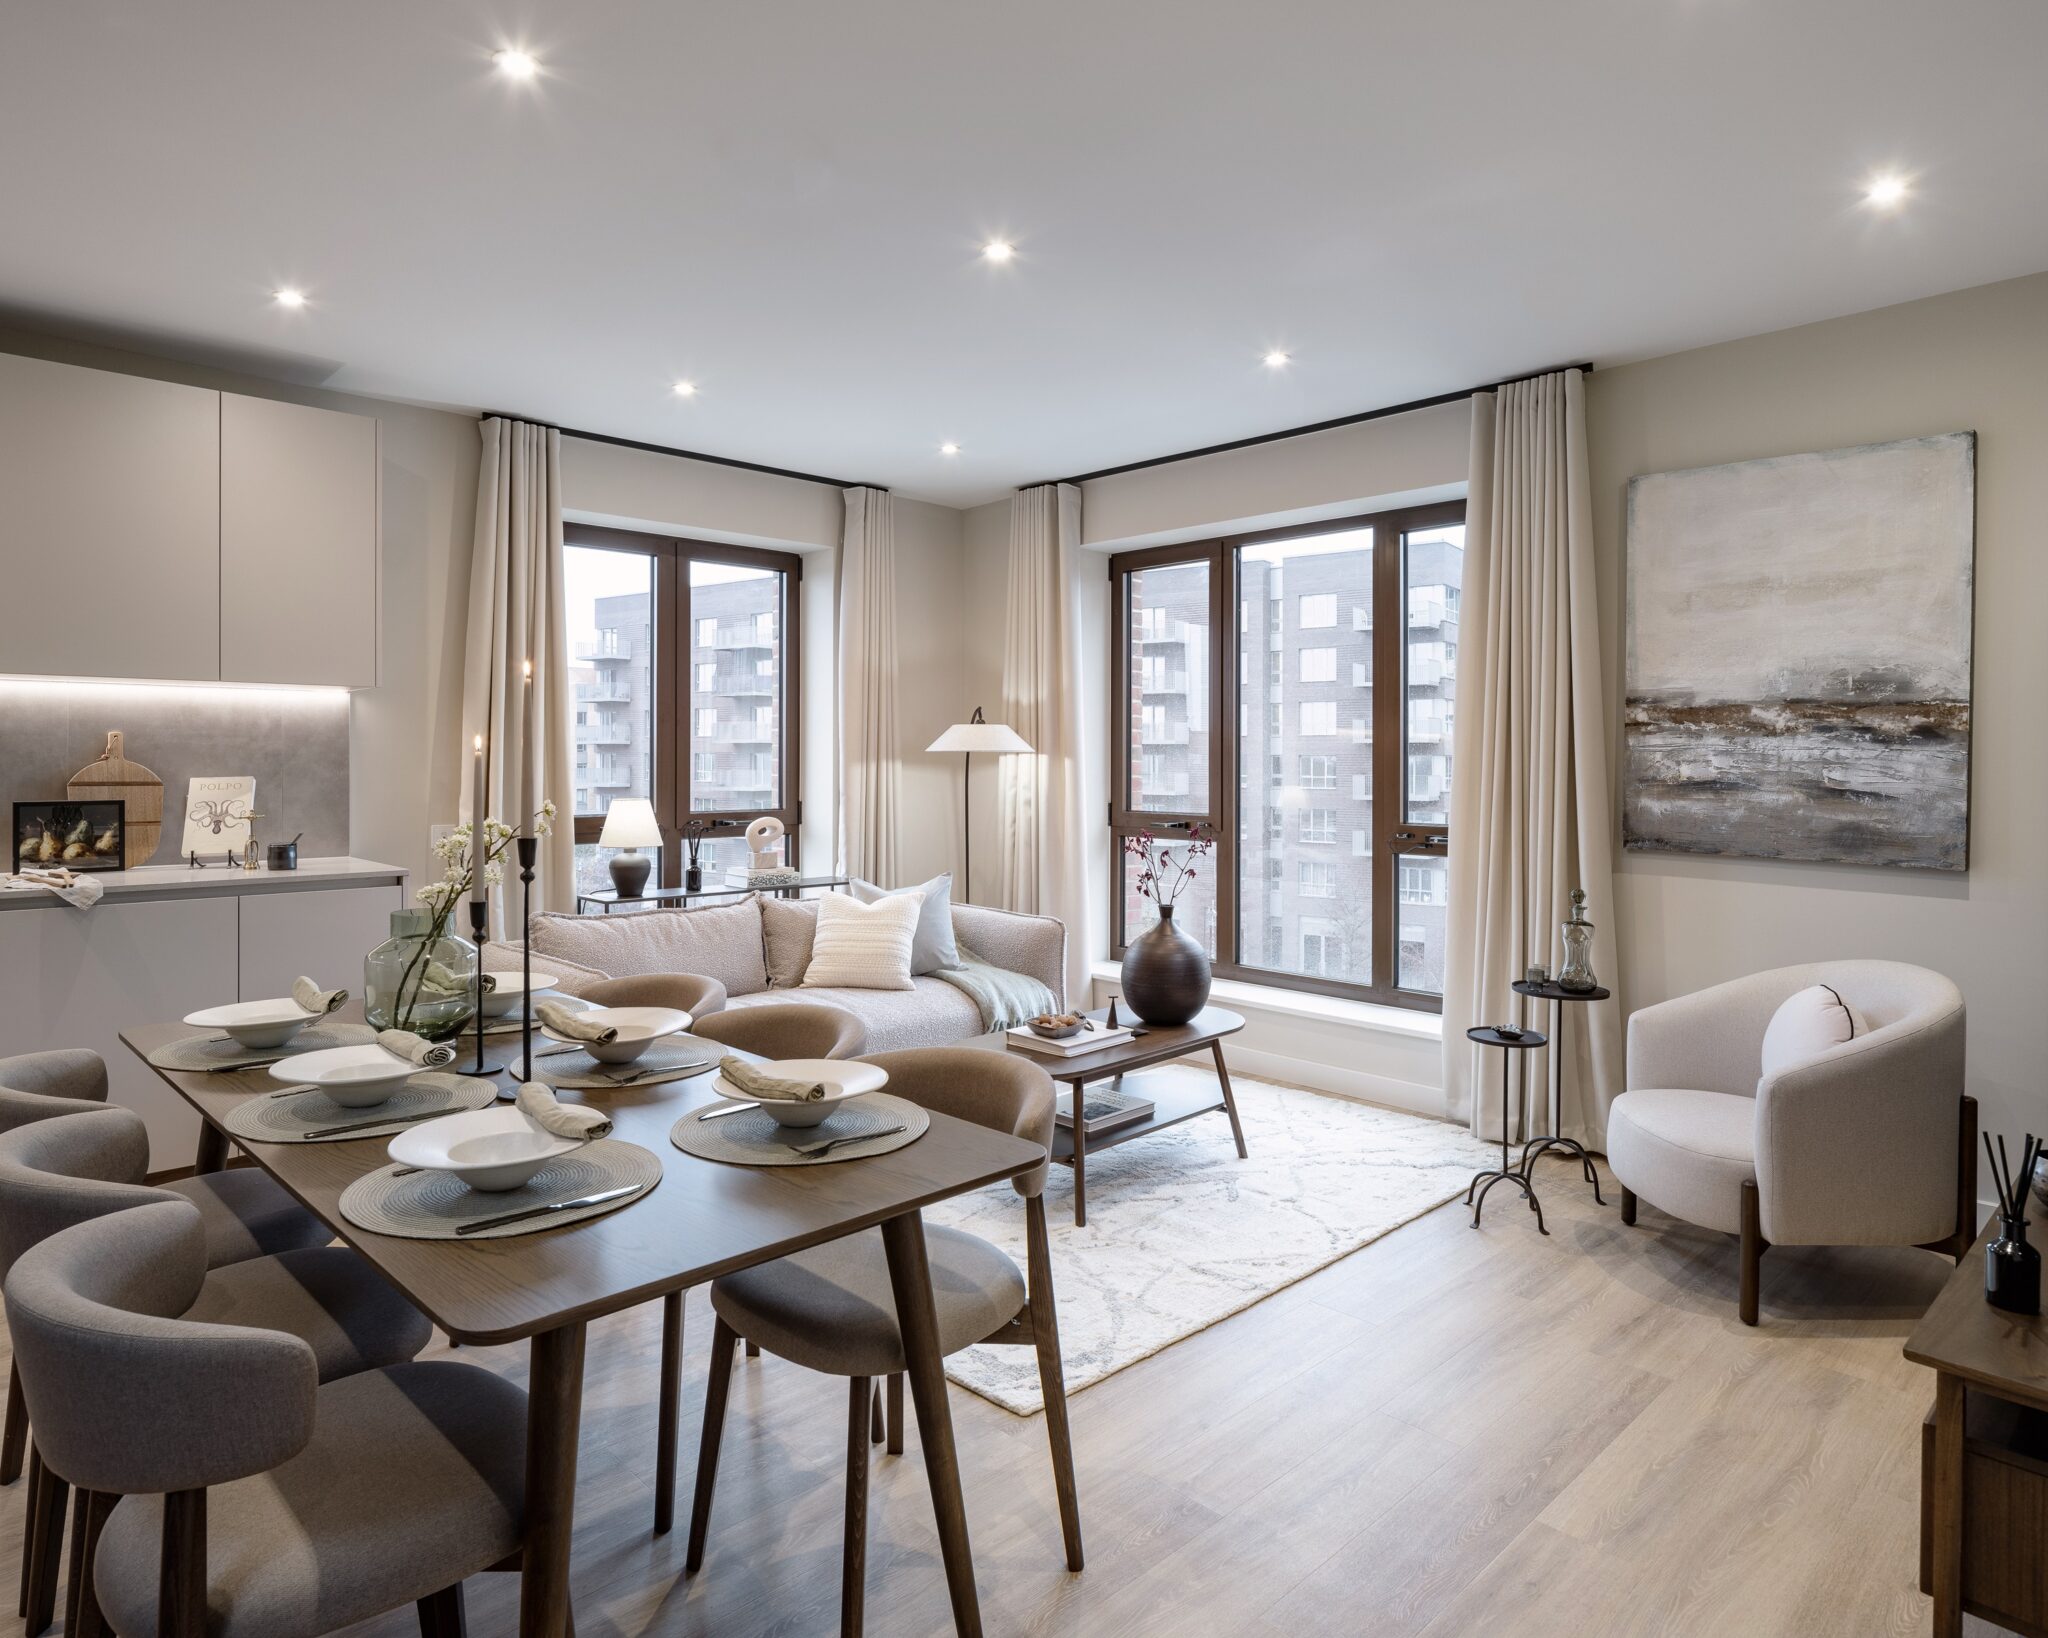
[(56, 1174)]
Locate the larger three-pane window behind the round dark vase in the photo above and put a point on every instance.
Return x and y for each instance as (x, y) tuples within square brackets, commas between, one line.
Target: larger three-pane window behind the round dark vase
[(1330, 814)]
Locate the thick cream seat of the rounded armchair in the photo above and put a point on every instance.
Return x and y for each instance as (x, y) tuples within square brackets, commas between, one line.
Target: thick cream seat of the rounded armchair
[(1687, 1152)]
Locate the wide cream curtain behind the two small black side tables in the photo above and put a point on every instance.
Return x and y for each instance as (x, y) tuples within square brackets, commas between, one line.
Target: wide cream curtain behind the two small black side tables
[(1529, 810)]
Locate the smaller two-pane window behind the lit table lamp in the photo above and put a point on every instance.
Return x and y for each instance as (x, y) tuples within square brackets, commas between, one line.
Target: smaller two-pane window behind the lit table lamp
[(685, 679)]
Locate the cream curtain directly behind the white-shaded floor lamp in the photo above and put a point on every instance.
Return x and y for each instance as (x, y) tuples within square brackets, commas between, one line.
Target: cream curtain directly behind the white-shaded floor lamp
[(1041, 851)]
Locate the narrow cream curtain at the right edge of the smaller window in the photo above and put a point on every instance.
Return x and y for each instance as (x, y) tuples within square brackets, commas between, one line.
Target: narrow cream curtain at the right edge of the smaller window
[(869, 818)]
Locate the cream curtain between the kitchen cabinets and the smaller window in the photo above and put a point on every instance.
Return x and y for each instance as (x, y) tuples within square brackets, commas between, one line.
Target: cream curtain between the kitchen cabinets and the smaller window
[(517, 613)]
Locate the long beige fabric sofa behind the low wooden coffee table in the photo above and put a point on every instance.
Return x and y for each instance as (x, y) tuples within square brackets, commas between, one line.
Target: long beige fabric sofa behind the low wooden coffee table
[(759, 949)]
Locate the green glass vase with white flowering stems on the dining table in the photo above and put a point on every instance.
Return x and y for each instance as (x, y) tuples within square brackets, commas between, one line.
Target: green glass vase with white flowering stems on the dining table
[(425, 978)]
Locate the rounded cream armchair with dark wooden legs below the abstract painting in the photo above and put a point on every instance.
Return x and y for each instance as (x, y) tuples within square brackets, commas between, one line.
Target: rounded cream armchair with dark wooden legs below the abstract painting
[(1869, 1144)]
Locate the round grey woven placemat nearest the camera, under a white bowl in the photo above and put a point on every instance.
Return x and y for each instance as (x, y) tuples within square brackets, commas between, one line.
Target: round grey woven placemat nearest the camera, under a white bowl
[(433, 1205)]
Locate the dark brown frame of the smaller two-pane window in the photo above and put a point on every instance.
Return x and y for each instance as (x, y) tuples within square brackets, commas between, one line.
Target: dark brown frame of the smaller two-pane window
[(673, 689)]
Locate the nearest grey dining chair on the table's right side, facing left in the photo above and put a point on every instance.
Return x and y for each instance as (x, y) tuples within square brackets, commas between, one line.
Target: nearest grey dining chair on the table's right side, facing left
[(833, 1309)]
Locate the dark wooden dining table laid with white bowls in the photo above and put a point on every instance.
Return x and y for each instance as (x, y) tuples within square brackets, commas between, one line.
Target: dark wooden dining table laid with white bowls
[(706, 1219)]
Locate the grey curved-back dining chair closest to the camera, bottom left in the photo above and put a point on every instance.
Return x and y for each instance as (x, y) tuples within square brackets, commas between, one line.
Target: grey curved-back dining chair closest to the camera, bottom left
[(232, 1492)]
